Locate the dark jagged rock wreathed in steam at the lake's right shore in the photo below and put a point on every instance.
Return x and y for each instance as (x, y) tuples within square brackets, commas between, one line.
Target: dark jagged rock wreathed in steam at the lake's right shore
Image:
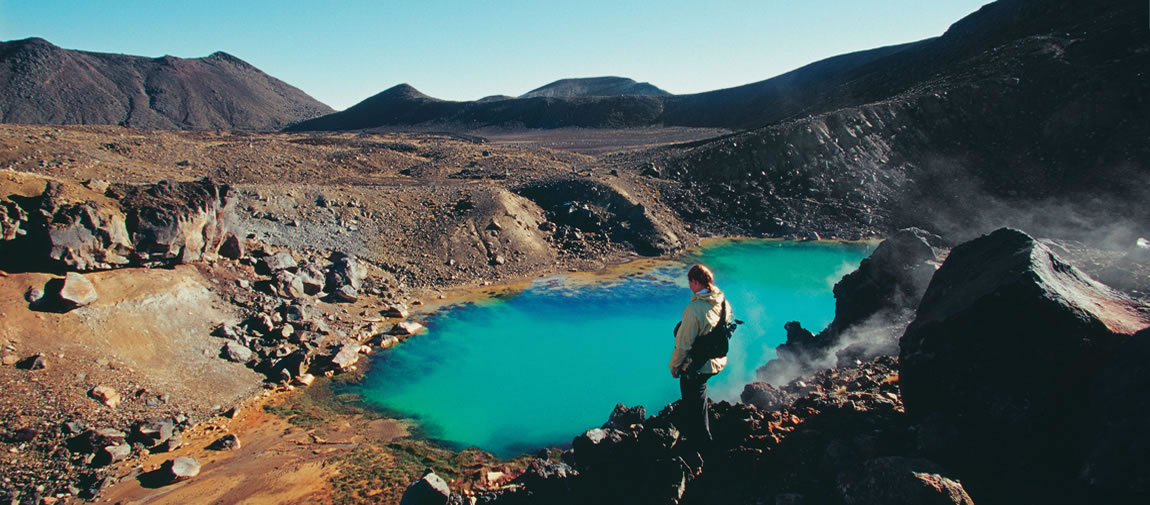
[(873, 307)]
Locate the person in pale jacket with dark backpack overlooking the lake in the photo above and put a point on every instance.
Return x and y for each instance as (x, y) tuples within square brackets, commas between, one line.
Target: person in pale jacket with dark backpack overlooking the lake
[(701, 317)]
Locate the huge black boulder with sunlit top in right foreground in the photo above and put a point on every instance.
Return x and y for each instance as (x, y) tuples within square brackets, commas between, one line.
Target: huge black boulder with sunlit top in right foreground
[(1000, 364)]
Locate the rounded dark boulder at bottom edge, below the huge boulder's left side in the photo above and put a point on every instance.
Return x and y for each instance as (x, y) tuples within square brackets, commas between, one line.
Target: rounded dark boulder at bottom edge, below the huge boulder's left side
[(901, 481)]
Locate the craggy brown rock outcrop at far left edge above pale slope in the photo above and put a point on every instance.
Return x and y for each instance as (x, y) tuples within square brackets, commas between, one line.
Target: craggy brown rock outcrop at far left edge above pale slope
[(73, 228)]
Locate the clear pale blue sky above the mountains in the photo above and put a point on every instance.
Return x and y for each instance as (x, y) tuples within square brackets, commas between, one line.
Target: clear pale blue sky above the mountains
[(342, 52)]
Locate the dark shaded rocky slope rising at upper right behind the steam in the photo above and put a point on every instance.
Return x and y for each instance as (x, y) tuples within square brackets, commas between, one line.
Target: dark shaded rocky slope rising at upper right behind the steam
[(1042, 127)]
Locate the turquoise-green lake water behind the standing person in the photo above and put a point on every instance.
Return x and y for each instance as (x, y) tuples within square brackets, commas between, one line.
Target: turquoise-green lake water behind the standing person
[(536, 369)]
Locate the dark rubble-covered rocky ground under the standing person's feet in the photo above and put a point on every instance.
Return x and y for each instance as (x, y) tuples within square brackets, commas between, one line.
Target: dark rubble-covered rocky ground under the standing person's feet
[(839, 438)]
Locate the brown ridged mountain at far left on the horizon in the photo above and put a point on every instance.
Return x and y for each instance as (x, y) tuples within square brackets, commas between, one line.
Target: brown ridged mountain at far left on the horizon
[(44, 85)]
